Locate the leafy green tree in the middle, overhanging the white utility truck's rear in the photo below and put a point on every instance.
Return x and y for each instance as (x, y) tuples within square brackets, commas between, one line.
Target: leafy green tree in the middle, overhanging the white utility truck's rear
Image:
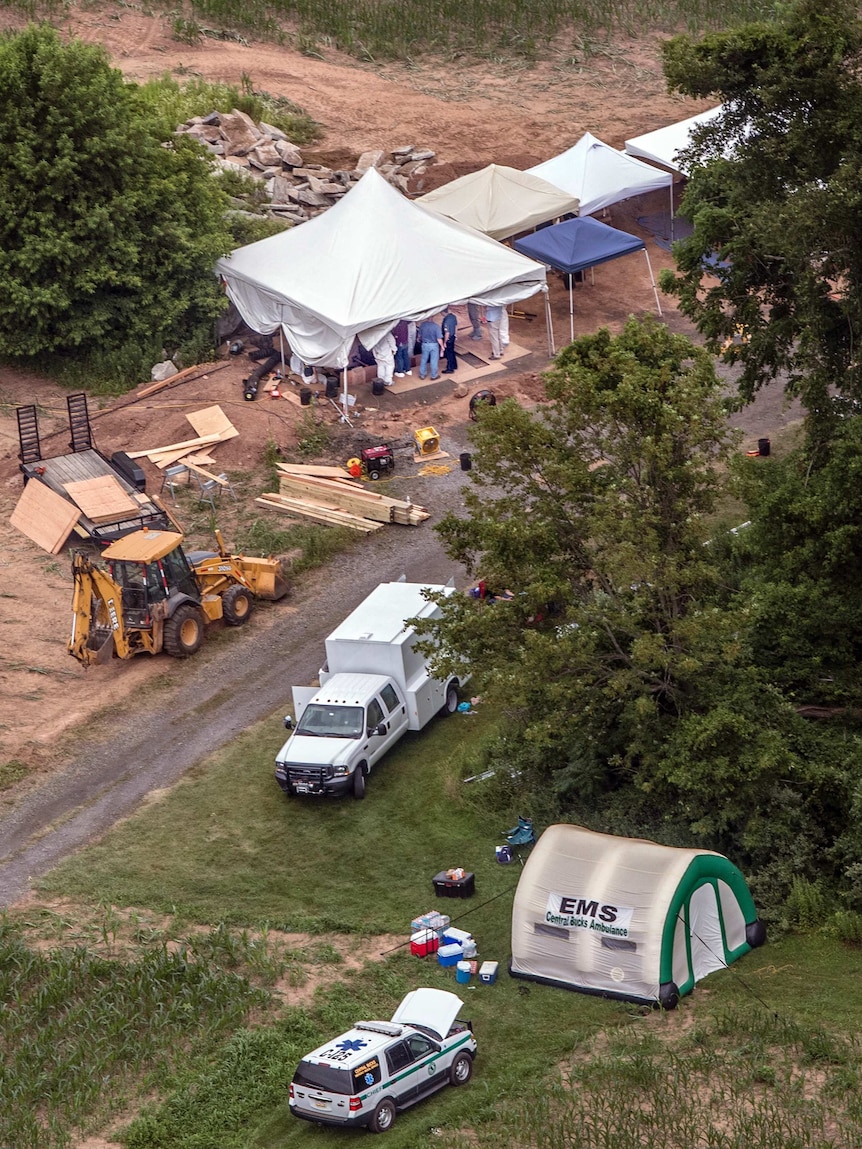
[(594, 513)]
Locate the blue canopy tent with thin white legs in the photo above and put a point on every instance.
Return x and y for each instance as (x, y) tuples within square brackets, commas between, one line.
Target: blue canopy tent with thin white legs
[(576, 245)]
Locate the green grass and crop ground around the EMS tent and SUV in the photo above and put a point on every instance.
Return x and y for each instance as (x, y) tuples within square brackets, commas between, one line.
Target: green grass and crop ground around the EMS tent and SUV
[(157, 977)]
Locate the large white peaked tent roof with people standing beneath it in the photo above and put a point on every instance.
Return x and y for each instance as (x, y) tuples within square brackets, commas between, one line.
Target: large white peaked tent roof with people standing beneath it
[(360, 267)]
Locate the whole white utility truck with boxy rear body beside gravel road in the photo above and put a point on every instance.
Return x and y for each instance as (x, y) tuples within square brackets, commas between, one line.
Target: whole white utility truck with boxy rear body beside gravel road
[(375, 687)]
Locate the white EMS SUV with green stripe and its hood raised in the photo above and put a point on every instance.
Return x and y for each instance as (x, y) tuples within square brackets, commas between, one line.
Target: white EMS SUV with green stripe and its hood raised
[(379, 1068)]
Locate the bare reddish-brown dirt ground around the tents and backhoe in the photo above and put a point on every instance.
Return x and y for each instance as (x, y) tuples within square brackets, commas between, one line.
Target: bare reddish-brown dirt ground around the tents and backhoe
[(472, 114)]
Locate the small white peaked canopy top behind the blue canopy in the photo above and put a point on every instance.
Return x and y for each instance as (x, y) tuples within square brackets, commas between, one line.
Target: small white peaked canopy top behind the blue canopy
[(599, 175)]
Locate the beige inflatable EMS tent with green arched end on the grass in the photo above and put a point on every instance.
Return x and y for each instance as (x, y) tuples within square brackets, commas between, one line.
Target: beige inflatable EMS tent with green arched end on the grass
[(628, 919)]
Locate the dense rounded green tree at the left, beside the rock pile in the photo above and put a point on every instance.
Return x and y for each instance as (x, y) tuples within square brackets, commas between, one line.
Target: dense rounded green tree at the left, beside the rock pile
[(109, 232)]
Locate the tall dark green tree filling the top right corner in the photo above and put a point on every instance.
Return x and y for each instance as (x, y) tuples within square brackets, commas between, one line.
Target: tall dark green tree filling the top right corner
[(775, 192)]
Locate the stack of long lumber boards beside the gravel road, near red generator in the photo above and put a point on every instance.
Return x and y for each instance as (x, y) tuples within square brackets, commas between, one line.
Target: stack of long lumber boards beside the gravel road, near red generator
[(329, 495)]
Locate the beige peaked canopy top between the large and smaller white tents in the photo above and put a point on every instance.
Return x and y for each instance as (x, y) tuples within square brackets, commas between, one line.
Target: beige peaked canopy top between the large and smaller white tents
[(501, 202)]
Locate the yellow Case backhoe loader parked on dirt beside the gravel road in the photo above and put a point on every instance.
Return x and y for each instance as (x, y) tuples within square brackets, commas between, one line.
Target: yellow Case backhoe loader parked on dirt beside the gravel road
[(155, 597)]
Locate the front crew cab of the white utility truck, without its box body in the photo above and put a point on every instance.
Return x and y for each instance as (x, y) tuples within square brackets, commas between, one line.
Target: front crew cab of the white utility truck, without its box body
[(342, 731)]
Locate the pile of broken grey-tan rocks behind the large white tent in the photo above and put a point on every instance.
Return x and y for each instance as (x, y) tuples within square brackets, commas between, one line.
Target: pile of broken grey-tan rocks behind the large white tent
[(296, 191)]
